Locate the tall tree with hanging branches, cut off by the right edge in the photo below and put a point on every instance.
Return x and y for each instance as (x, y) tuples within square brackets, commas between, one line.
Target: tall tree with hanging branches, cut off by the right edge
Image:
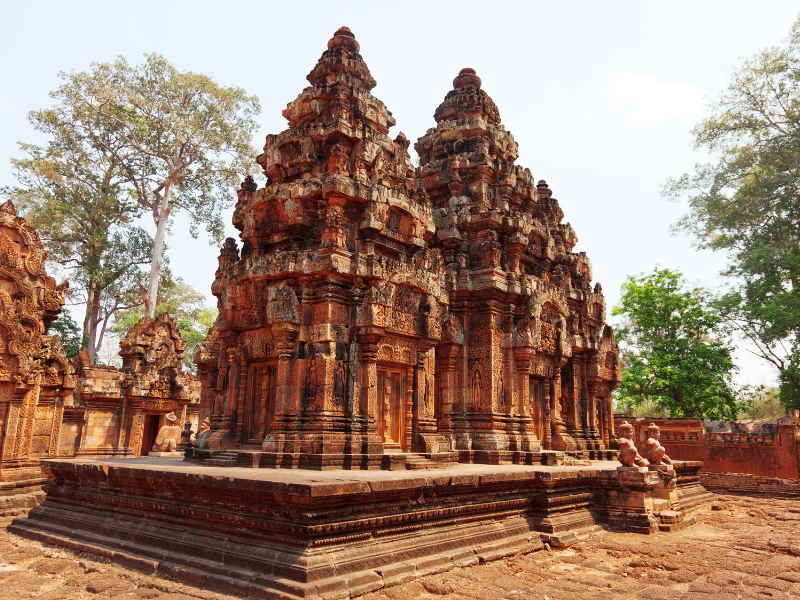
[(747, 203)]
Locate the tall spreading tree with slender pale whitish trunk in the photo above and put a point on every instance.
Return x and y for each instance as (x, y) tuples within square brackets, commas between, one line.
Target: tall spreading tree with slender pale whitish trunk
[(182, 140)]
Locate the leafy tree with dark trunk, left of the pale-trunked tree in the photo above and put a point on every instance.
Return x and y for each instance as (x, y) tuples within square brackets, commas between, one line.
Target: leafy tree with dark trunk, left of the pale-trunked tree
[(73, 192)]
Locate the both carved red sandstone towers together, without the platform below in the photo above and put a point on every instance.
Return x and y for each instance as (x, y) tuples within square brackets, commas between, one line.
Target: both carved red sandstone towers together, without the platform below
[(374, 308)]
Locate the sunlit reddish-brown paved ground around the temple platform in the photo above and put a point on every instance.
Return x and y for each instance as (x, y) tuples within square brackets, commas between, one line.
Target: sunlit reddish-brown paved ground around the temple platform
[(741, 547)]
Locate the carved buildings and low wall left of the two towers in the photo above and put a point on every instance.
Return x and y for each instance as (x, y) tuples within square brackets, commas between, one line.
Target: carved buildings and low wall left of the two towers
[(51, 406)]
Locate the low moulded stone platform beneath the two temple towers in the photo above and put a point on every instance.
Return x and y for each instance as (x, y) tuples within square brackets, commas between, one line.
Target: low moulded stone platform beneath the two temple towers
[(284, 533)]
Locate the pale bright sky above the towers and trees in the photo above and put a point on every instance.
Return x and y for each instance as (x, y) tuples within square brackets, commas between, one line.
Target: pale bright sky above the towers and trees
[(600, 96)]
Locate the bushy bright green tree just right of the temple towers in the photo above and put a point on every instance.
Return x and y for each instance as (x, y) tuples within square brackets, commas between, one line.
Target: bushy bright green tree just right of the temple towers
[(681, 359)]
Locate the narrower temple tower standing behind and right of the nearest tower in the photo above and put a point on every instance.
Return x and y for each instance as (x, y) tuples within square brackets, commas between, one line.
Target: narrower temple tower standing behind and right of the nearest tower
[(525, 360)]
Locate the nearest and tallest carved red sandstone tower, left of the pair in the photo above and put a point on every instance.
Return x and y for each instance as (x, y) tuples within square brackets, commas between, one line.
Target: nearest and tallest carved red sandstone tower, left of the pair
[(323, 354)]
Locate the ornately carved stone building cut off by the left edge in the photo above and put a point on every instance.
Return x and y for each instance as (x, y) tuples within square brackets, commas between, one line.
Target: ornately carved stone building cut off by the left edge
[(36, 379)]
